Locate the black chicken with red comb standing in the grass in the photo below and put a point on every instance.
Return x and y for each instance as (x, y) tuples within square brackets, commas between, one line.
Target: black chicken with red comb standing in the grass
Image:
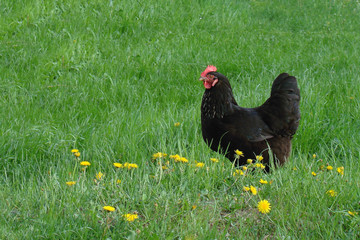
[(227, 127)]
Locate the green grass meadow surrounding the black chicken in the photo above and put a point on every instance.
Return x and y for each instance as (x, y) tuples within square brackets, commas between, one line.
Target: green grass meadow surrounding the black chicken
[(112, 79)]
